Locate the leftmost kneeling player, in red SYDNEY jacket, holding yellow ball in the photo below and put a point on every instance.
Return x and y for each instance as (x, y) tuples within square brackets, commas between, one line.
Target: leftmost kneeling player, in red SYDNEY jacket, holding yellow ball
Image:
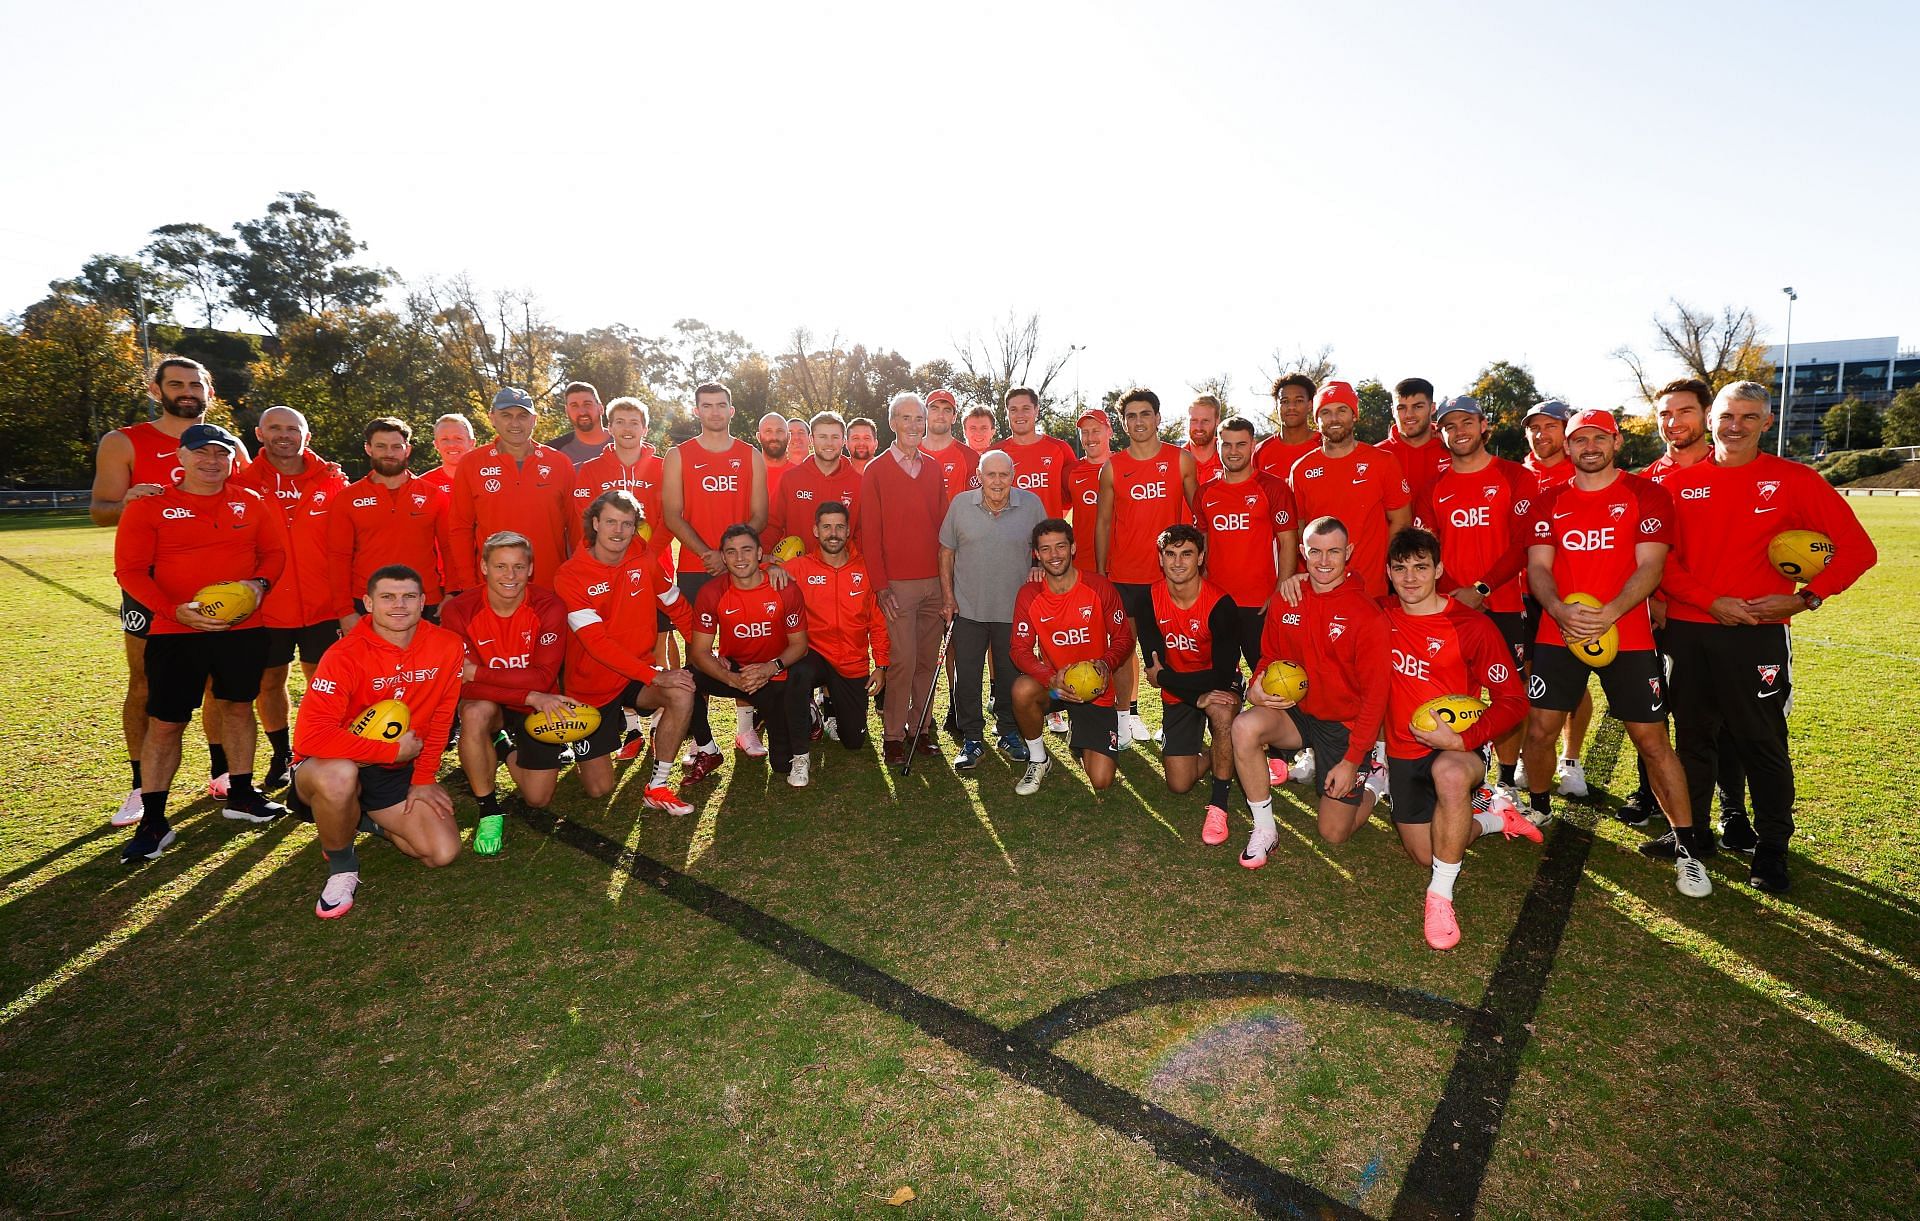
[(385, 788)]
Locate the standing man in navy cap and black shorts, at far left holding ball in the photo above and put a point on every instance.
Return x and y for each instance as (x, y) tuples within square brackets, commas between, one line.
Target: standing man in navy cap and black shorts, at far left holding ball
[(168, 548)]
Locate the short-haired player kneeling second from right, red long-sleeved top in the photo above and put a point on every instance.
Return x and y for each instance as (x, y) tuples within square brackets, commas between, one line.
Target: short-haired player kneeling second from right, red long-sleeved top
[(1339, 636)]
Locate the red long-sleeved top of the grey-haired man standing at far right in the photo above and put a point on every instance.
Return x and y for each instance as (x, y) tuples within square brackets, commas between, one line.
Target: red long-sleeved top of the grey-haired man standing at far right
[(1727, 519)]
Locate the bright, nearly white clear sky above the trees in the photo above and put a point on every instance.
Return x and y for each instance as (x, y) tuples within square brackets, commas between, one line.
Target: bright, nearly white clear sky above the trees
[(1178, 187)]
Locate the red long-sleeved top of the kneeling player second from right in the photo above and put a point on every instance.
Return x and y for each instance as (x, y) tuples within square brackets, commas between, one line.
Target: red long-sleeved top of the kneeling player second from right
[(1341, 640)]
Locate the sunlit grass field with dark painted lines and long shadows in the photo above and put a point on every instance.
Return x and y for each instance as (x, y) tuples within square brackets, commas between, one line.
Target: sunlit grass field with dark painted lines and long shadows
[(796, 1005)]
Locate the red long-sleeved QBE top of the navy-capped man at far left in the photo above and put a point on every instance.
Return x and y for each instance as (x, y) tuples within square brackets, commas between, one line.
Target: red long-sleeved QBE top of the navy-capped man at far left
[(172, 546)]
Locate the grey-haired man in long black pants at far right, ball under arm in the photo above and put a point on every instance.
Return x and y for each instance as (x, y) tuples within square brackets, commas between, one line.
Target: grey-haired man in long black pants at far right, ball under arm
[(1729, 611)]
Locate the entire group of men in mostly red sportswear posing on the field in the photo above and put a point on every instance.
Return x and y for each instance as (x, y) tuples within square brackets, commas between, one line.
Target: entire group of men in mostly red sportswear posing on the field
[(1418, 619)]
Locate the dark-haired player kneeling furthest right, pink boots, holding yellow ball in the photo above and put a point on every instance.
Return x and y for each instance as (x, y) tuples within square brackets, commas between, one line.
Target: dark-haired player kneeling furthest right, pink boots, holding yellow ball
[(1441, 648)]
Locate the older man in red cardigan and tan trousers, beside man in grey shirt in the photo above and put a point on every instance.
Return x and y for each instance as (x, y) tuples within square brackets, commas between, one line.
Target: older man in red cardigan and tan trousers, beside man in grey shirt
[(903, 502)]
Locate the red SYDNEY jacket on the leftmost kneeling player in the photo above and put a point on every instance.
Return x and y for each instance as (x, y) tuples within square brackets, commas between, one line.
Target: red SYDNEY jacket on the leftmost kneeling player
[(364, 669)]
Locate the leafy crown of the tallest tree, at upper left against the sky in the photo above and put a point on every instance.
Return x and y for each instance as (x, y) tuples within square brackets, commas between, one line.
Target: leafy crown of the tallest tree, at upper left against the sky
[(295, 262)]
